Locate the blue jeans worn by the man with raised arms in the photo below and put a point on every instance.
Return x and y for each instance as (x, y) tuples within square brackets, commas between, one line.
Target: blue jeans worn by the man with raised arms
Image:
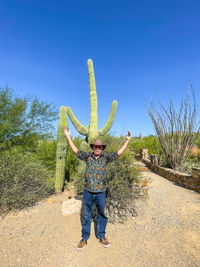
[(88, 200)]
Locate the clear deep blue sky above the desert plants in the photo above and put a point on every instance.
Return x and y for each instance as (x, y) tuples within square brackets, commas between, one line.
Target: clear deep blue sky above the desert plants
[(141, 50)]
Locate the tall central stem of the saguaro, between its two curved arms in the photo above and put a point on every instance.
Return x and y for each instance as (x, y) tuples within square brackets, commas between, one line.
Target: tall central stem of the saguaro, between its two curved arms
[(93, 97)]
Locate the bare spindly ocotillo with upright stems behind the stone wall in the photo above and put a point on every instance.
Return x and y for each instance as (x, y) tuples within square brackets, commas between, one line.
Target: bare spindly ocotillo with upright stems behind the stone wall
[(177, 130)]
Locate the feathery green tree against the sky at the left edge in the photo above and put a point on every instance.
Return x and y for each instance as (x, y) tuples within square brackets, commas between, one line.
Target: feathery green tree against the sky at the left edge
[(24, 120)]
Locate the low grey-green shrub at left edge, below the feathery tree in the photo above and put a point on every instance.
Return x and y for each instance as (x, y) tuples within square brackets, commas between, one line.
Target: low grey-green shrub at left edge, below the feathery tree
[(23, 180)]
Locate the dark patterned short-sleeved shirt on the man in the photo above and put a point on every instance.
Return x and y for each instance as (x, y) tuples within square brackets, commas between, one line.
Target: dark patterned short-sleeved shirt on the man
[(95, 175)]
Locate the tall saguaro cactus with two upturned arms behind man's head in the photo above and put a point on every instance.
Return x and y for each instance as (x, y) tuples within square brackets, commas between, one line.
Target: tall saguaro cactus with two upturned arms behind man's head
[(91, 131)]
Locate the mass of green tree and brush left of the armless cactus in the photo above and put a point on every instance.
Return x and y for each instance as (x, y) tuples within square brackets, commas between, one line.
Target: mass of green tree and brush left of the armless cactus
[(27, 150)]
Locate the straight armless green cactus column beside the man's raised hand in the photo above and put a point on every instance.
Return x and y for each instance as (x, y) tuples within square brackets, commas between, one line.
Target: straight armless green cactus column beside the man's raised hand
[(61, 151)]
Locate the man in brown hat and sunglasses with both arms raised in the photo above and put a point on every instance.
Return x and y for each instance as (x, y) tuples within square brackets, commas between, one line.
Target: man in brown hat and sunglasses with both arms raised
[(95, 186)]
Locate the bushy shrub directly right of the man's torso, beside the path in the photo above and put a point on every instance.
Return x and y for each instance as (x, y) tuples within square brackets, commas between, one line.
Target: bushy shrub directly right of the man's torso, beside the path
[(121, 177)]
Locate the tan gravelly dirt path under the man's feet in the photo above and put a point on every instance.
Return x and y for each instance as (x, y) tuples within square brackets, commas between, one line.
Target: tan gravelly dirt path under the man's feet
[(166, 233)]
